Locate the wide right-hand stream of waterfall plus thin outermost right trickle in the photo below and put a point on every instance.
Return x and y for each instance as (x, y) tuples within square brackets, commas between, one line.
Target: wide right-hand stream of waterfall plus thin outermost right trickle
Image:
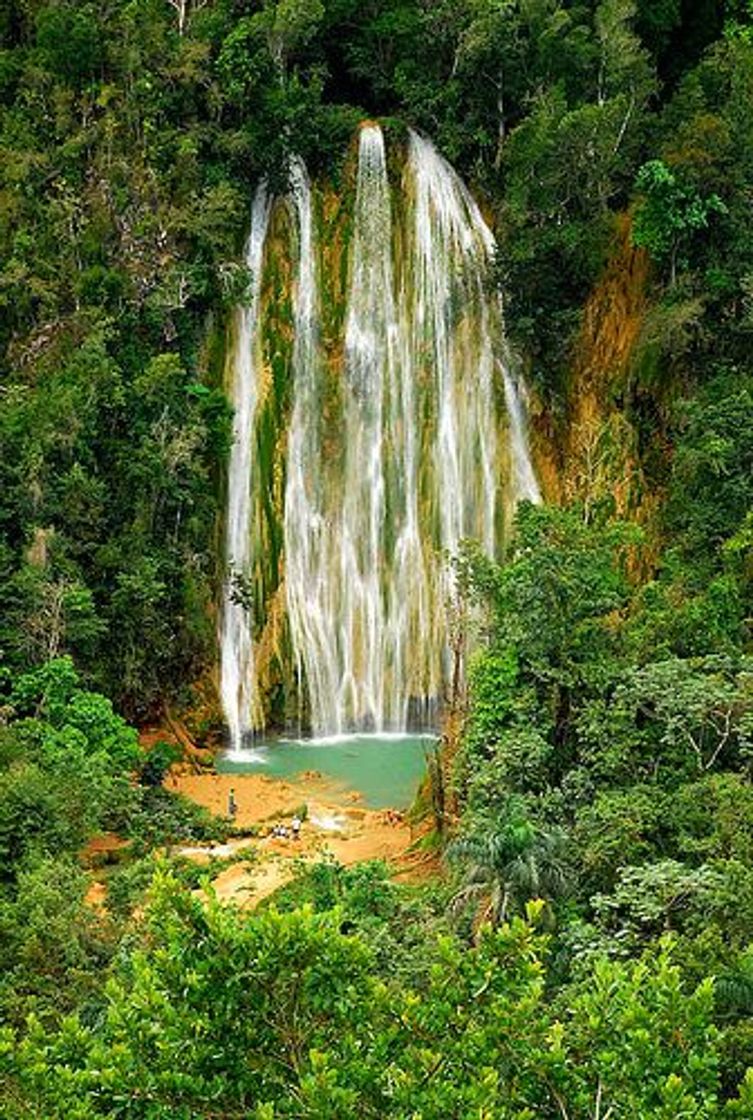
[(460, 324)]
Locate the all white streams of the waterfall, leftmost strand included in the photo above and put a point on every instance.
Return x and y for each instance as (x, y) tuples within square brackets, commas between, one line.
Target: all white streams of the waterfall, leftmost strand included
[(395, 451)]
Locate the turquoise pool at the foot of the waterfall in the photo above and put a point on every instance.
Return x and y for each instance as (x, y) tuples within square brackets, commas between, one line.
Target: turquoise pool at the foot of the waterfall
[(385, 769)]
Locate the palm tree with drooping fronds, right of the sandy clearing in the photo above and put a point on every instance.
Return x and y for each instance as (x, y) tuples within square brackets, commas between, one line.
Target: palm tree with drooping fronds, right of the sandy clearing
[(506, 866)]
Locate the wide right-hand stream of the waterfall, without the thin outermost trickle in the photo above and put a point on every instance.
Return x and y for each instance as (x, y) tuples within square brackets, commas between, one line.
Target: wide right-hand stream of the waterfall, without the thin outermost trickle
[(451, 326)]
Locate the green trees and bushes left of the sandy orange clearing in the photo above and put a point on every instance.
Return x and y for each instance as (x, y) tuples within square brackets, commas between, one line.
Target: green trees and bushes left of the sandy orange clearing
[(70, 769)]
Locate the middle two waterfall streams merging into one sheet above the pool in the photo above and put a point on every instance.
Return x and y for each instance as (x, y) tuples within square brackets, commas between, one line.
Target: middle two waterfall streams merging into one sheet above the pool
[(355, 572)]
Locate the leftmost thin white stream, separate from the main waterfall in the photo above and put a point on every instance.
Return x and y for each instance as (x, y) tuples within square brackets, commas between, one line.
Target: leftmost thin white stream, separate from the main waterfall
[(237, 676)]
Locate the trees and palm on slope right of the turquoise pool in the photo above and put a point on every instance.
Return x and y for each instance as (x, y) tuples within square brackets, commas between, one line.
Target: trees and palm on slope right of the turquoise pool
[(607, 763)]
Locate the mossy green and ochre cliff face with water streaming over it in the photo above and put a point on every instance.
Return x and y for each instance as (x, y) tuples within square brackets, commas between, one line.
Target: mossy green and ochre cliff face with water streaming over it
[(388, 426)]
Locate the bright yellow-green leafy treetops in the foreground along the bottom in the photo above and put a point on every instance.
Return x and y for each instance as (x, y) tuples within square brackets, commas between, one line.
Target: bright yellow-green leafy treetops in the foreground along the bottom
[(282, 1015)]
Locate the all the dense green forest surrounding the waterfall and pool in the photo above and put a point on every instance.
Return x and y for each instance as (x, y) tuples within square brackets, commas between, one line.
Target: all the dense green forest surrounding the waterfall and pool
[(605, 766)]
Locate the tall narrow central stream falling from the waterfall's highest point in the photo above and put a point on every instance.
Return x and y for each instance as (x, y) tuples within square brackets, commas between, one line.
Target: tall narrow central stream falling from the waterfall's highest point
[(371, 337)]
